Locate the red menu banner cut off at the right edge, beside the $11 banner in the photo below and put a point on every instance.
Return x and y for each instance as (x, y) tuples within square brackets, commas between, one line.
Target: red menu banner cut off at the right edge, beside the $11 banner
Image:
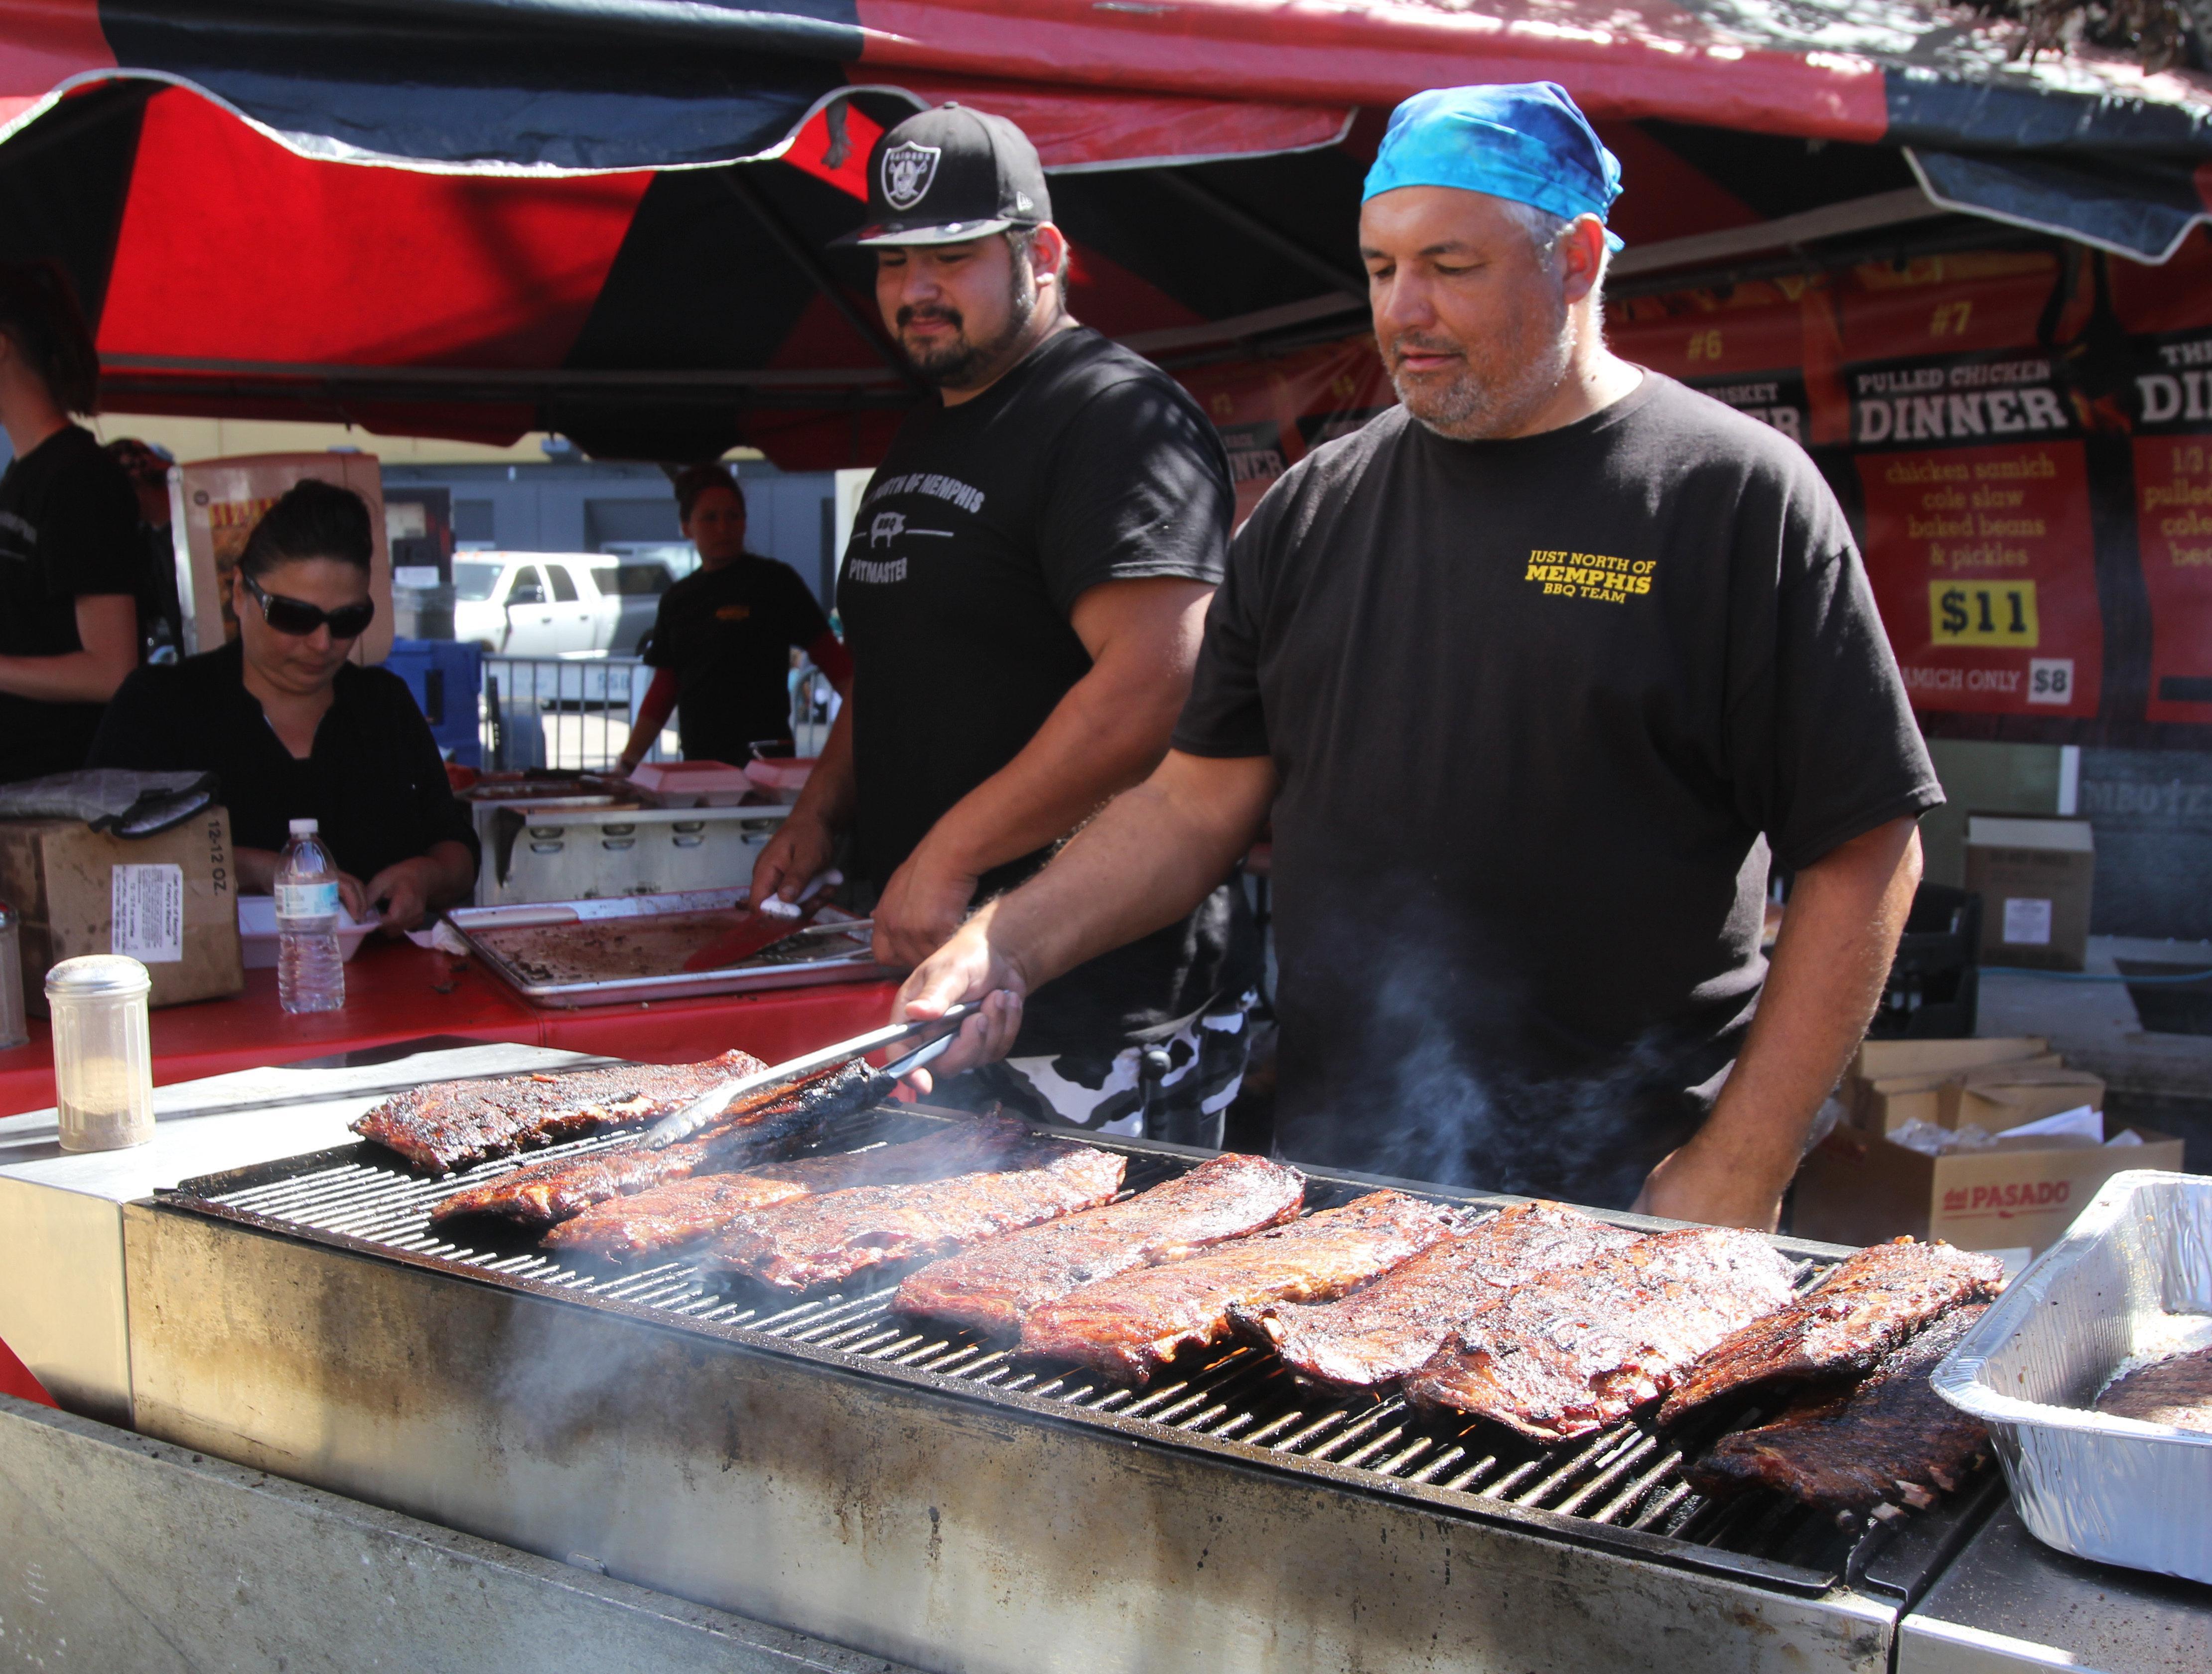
[(2173, 519)]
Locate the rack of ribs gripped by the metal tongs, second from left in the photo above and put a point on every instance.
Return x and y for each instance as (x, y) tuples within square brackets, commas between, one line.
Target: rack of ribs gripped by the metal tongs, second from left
[(545, 1195)]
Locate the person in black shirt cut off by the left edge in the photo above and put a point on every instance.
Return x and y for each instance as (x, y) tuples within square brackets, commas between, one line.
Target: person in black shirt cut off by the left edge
[(70, 545)]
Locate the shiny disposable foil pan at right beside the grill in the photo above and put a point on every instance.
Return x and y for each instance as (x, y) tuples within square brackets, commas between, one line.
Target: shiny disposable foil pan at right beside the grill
[(2129, 1279)]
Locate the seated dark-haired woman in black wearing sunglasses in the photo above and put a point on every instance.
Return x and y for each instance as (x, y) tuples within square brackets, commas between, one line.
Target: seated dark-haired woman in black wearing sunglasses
[(295, 731)]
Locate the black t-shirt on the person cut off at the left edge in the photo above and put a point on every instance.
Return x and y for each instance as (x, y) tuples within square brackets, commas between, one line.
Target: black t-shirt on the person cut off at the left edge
[(67, 532)]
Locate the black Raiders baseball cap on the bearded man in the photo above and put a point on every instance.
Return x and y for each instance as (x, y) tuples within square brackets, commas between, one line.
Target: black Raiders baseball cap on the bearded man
[(950, 176)]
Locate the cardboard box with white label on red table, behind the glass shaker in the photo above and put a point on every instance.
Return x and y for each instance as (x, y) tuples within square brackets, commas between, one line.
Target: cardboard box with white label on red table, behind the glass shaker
[(167, 901)]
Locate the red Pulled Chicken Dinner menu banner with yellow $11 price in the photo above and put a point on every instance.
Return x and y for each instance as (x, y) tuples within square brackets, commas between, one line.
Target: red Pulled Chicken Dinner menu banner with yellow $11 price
[(1979, 534)]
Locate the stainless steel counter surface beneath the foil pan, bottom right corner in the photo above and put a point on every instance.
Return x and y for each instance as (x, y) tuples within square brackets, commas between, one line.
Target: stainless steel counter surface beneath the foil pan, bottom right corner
[(2010, 1604)]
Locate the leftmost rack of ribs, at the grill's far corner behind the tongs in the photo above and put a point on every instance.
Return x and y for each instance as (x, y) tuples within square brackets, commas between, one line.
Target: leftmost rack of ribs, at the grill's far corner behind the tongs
[(446, 1127)]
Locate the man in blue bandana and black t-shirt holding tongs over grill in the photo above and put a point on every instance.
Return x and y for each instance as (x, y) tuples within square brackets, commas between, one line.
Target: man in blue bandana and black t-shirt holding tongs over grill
[(1536, 676)]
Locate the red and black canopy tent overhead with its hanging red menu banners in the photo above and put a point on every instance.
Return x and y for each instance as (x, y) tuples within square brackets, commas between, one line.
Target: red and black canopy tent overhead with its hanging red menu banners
[(609, 218)]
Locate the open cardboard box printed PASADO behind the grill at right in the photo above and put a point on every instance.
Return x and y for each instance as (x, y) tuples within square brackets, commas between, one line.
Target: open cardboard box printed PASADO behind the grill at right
[(1861, 1189)]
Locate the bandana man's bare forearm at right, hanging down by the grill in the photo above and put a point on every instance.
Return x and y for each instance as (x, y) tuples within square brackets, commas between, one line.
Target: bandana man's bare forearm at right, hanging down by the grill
[(1826, 979)]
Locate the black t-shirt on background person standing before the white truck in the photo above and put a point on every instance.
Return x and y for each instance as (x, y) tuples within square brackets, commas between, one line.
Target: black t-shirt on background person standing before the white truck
[(729, 636)]
